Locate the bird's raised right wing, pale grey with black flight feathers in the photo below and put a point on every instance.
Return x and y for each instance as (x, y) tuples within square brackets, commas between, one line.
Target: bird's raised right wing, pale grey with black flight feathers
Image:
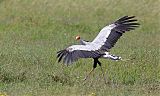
[(110, 34)]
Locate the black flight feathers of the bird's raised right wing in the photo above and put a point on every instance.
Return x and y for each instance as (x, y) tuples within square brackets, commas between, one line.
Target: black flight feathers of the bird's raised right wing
[(123, 24)]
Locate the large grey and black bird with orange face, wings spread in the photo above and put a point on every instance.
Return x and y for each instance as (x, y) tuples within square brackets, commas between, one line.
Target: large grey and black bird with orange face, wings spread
[(101, 46)]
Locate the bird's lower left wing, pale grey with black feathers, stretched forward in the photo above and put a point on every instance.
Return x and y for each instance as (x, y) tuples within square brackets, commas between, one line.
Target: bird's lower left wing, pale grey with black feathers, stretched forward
[(75, 52)]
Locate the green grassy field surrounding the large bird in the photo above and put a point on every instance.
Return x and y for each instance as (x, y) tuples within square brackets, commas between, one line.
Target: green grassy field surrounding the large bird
[(32, 31)]
